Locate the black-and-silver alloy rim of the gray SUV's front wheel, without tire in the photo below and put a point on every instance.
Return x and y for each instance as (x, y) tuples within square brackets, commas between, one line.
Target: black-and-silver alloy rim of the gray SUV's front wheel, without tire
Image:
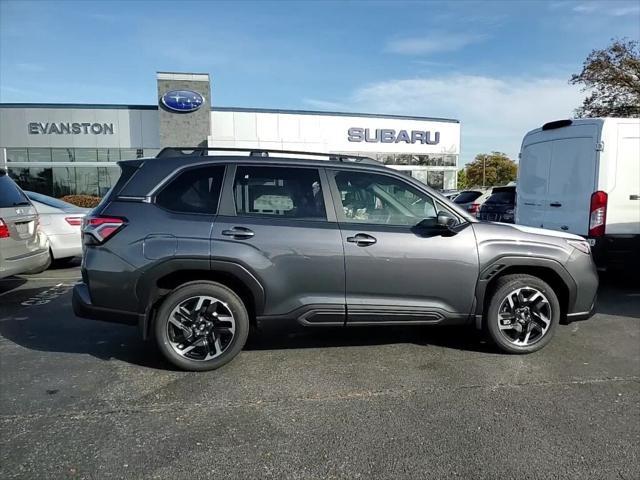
[(524, 316)]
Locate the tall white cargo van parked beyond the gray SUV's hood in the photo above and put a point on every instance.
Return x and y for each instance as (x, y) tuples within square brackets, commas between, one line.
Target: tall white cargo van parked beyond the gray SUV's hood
[(583, 176)]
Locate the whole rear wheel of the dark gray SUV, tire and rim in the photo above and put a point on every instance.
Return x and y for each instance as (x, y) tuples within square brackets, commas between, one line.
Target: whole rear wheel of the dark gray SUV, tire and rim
[(201, 326)]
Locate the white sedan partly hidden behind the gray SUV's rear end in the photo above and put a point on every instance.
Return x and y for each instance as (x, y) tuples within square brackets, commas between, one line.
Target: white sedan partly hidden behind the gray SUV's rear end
[(61, 222)]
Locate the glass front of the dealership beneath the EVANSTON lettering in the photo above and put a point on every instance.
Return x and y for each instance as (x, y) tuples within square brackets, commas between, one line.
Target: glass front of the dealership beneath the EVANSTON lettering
[(69, 171)]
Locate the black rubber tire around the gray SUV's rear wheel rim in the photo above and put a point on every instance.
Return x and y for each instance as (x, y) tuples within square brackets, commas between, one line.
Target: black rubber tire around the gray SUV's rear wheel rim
[(184, 293)]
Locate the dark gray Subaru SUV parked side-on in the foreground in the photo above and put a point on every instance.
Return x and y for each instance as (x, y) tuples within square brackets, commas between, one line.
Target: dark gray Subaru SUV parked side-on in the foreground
[(194, 249)]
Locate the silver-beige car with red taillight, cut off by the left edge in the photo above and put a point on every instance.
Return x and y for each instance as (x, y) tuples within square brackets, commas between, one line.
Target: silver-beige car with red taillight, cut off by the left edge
[(22, 248)]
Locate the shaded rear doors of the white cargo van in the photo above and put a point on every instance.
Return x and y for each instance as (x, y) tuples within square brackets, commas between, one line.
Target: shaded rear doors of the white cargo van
[(557, 177)]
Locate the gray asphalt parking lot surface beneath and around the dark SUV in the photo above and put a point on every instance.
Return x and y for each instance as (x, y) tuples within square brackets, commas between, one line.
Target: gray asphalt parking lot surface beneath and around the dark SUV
[(84, 399)]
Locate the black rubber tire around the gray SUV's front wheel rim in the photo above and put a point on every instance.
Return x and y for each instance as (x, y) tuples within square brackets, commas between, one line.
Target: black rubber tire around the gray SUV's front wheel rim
[(506, 285)]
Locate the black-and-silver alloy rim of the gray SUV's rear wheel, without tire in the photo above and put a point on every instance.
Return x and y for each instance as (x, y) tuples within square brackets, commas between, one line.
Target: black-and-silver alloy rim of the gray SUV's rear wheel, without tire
[(201, 328)]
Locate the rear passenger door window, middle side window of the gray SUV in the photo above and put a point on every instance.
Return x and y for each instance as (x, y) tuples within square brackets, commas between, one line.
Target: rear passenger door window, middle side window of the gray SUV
[(282, 192)]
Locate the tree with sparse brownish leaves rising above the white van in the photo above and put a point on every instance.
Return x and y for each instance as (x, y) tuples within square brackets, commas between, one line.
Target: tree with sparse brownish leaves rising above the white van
[(612, 76)]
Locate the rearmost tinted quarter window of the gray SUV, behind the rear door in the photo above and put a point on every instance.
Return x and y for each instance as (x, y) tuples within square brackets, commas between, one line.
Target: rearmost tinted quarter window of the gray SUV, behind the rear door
[(196, 190)]
